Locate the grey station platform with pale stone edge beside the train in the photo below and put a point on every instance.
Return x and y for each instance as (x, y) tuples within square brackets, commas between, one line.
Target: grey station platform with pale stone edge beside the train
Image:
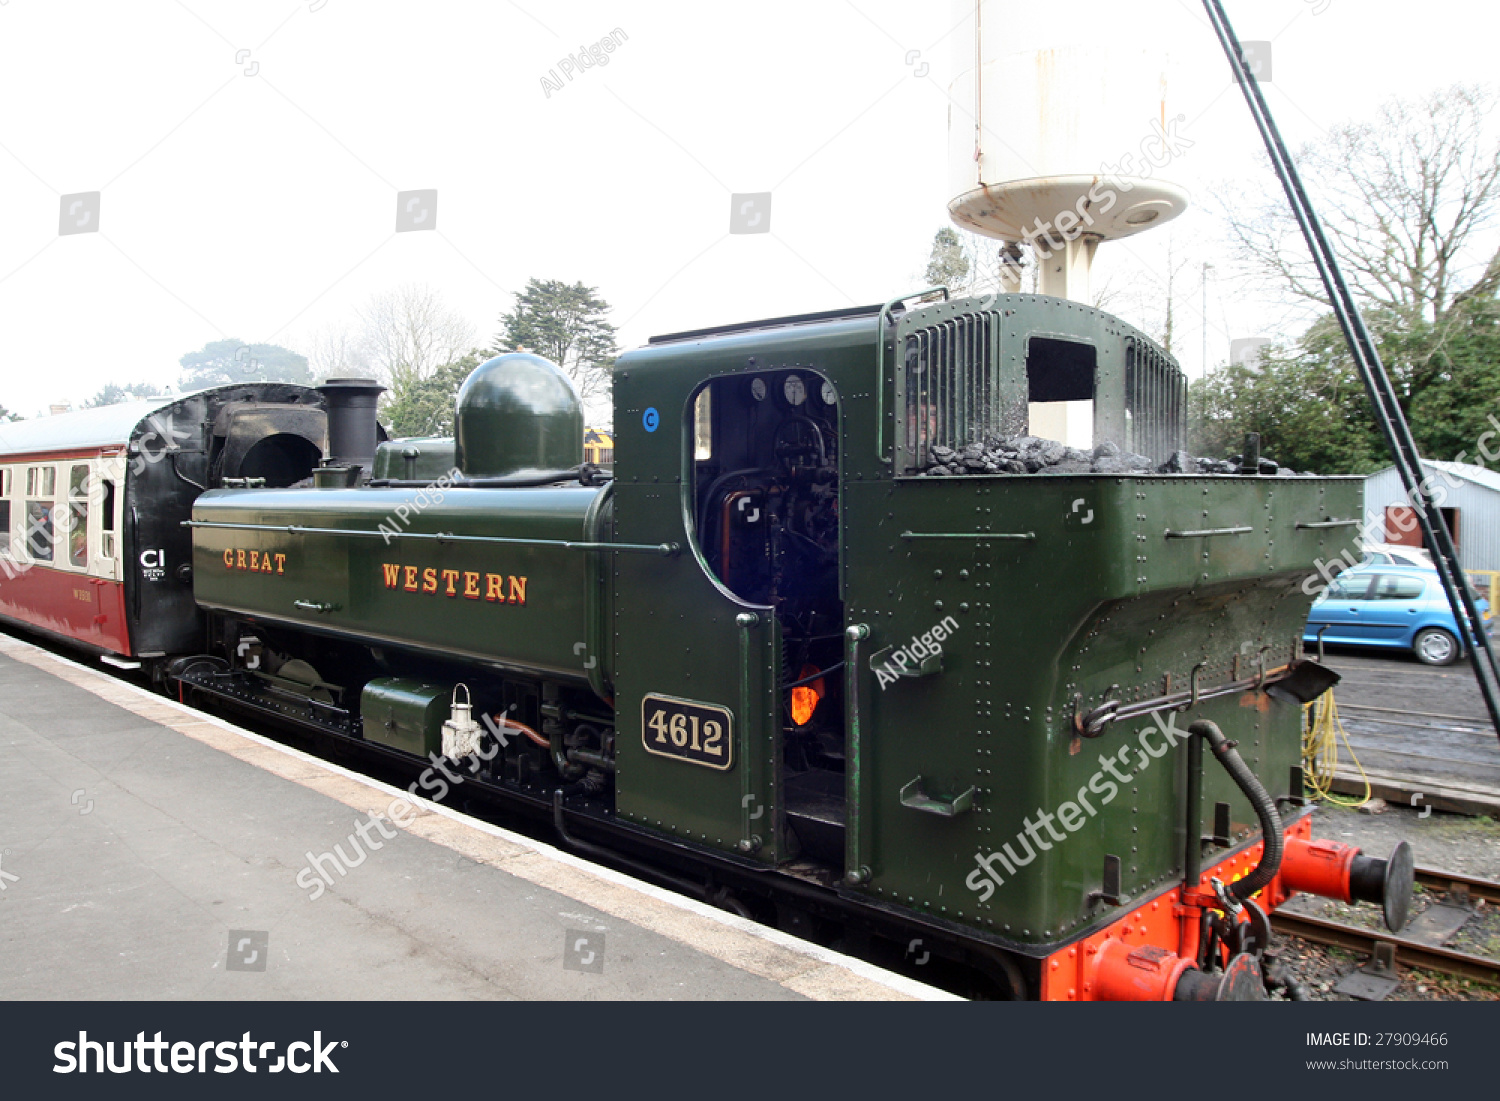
[(149, 851)]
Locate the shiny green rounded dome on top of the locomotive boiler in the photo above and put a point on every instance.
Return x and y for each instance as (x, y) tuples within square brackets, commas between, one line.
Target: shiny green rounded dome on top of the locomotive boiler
[(518, 413)]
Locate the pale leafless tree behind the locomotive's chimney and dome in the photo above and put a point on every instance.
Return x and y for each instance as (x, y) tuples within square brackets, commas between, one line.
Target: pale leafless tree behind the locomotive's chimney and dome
[(409, 332)]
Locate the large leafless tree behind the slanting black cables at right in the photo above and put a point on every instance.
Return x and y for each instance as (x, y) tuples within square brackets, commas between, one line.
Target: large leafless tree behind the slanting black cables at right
[(1406, 202)]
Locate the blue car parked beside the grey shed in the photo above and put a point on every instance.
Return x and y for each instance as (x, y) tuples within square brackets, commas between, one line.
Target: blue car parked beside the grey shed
[(1391, 607)]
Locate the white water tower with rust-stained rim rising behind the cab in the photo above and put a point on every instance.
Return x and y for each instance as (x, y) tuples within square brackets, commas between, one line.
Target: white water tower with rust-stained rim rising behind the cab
[(1061, 136)]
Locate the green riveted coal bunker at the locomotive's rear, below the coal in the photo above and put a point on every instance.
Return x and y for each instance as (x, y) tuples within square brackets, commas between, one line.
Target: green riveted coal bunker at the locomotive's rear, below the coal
[(1108, 610)]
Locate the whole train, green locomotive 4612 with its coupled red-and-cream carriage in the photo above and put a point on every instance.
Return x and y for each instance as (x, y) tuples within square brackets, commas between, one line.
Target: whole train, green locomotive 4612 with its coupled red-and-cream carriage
[(793, 653)]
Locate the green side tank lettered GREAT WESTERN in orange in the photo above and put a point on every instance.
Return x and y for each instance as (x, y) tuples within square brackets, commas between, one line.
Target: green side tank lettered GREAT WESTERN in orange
[(385, 568)]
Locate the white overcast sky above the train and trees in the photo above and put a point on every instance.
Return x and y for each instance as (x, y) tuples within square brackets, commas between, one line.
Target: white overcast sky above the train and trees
[(250, 157)]
